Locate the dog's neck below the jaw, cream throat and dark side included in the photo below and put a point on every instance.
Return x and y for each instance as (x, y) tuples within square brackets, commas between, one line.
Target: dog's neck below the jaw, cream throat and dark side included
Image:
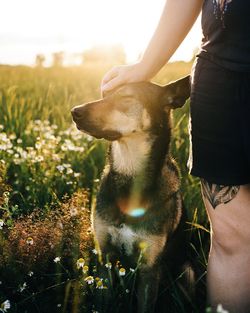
[(140, 155)]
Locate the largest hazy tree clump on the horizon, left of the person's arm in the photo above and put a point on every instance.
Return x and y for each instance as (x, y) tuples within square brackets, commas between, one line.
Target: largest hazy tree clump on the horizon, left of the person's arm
[(113, 54)]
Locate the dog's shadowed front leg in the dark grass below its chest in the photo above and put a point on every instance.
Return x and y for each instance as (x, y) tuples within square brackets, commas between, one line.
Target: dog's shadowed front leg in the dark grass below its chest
[(148, 284)]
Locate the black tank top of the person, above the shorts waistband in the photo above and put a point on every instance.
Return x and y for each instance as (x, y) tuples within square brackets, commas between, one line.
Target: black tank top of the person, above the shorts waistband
[(226, 33)]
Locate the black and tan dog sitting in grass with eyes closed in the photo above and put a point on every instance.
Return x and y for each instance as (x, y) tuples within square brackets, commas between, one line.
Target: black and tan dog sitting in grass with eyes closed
[(139, 213)]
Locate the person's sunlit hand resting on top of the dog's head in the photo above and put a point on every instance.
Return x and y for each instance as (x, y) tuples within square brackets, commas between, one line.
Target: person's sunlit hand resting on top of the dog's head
[(122, 74)]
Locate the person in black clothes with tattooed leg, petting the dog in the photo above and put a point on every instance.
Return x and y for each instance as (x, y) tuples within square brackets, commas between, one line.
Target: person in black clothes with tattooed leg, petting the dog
[(220, 130)]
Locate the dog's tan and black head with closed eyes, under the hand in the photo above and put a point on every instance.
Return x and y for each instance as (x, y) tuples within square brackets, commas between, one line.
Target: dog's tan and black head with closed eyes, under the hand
[(131, 108)]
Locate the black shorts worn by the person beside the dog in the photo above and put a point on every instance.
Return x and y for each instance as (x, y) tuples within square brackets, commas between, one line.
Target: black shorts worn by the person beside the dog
[(220, 124)]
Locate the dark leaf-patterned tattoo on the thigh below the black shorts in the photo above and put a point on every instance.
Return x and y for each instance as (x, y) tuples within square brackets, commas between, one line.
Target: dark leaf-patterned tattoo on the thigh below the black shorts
[(217, 194)]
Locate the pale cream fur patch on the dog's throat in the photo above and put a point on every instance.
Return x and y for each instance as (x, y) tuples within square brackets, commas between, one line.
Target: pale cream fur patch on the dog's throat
[(129, 155)]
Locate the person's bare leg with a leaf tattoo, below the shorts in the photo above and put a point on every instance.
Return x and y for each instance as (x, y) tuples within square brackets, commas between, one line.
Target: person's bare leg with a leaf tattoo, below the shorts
[(229, 260)]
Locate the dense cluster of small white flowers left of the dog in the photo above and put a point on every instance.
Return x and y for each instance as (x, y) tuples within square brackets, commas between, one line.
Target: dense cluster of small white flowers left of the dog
[(46, 163)]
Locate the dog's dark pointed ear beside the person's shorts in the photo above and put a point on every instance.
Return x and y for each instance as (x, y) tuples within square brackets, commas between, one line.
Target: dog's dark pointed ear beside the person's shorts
[(176, 93)]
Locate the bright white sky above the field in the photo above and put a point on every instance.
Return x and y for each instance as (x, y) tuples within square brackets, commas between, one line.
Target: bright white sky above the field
[(29, 27)]
